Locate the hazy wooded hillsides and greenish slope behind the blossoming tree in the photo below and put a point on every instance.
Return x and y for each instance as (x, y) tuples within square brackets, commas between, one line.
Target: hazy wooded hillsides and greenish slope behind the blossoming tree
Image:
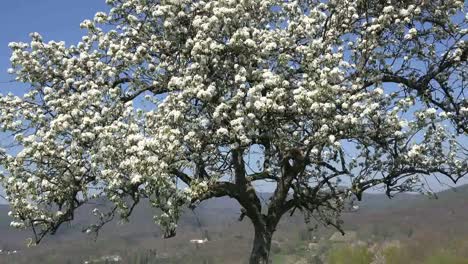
[(407, 228)]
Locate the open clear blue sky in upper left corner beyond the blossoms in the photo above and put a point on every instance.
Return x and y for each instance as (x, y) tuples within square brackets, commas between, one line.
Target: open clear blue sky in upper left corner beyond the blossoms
[(53, 19)]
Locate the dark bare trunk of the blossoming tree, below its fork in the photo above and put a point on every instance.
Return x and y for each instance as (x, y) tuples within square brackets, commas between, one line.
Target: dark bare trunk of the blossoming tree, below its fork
[(261, 246)]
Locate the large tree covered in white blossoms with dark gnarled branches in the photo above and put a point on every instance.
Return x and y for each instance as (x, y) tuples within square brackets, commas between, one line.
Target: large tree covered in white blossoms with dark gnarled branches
[(179, 101)]
